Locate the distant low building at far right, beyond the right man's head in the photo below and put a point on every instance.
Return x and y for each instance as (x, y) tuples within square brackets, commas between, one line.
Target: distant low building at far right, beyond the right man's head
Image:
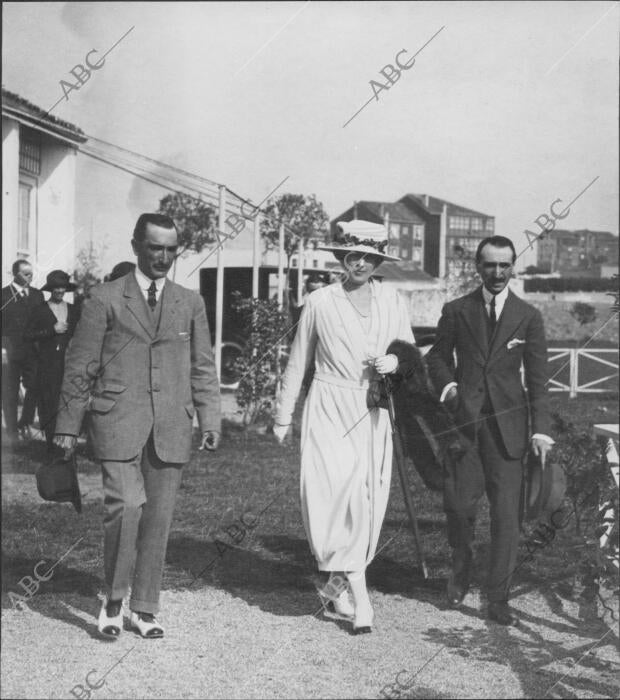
[(581, 253)]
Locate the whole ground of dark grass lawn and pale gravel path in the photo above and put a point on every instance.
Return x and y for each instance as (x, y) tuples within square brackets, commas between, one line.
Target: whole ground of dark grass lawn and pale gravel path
[(241, 606)]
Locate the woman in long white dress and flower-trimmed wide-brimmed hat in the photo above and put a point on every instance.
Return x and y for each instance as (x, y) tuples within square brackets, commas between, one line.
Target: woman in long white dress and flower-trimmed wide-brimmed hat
[(346, 447)]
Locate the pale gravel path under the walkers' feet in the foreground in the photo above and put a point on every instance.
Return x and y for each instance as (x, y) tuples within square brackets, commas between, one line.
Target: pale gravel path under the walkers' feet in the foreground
[(276, 644)]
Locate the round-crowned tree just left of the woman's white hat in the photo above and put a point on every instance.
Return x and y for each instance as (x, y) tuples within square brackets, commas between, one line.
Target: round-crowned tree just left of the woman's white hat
[(302, 217)]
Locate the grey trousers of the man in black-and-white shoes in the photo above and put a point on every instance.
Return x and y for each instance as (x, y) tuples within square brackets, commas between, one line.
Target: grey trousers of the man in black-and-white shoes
[(139, 497)]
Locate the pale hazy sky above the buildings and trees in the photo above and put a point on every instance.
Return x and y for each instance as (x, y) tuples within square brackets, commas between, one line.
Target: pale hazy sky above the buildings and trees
[(511, 106)]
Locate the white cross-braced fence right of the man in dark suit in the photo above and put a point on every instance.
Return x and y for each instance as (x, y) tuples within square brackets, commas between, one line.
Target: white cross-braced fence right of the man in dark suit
[(580, 373)]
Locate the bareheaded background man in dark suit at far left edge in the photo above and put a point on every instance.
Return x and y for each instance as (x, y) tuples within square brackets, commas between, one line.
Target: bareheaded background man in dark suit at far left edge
[(18, 360)]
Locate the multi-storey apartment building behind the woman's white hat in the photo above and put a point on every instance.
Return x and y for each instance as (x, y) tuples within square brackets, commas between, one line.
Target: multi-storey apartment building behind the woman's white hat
[(430, 234)]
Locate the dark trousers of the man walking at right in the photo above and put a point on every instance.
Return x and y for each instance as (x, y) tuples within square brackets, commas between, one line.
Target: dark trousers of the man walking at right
[(486, 466)]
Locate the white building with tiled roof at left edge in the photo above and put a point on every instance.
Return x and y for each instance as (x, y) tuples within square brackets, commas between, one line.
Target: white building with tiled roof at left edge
[(39, 154)]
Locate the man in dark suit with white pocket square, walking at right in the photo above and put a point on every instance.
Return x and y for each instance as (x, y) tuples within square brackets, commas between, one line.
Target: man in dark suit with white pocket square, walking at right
[(492, 332)]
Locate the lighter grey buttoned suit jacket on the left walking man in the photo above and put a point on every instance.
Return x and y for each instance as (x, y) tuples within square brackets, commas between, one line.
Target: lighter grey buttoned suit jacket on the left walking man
[(133, 377)]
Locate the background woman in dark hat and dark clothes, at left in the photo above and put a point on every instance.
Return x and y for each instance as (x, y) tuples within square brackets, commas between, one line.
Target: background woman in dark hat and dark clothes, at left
[(51, 326)]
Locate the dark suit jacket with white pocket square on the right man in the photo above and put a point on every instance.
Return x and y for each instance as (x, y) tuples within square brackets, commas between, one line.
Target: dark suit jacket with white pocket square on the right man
[(491, 372)]
